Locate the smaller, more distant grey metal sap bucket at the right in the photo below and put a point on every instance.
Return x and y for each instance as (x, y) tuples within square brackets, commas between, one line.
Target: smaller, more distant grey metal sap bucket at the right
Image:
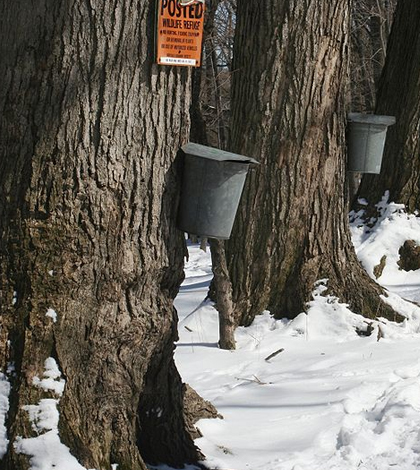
[(366, 141)]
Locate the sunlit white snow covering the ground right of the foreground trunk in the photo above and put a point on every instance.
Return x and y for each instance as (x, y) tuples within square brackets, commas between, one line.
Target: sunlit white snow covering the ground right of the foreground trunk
[(331, 399)]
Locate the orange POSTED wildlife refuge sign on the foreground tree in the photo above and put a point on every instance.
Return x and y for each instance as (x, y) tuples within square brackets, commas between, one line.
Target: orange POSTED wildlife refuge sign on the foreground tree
[(179, 33)]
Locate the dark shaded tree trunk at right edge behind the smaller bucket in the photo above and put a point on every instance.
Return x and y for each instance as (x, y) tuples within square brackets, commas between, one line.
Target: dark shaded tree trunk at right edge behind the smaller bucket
[(399, 95)]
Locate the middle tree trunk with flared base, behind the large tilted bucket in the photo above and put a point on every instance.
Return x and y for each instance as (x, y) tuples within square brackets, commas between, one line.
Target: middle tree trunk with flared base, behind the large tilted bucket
[(289, 112)]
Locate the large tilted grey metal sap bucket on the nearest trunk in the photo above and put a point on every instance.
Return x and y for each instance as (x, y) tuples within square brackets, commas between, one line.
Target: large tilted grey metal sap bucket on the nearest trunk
[(212, 185)]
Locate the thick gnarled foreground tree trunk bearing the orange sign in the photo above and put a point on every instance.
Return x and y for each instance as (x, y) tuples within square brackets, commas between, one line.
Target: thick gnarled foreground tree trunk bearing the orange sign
[(89, 185)]
